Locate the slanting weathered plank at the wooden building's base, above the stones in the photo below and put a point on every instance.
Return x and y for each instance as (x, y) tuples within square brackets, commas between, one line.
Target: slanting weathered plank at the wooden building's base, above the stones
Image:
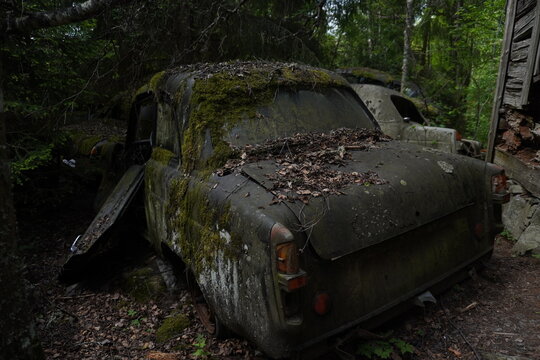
[(526, 175)]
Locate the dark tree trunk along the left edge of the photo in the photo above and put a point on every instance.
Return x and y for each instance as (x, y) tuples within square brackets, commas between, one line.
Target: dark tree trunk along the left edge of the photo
[(18, 339)]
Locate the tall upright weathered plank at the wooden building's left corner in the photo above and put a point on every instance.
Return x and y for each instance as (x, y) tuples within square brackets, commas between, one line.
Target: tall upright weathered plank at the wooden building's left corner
[(499, 92)]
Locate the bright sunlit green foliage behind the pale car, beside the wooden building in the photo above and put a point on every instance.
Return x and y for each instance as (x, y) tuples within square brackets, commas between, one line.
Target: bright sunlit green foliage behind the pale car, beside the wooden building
[(456, 48)]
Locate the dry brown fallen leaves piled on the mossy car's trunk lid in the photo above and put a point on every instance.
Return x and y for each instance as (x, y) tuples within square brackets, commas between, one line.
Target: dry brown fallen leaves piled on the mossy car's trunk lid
[(305, 162)]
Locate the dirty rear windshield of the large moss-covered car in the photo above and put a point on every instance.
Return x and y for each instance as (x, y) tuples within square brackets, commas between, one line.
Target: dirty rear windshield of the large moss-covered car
[(302, 111)]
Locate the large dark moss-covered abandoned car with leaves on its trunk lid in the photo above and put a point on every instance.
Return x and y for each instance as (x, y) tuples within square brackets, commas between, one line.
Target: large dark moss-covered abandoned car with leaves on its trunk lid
[(296, 218)]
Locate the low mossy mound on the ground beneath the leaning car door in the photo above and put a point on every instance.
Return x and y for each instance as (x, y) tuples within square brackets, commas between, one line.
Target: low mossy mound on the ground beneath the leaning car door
[(143, 284)]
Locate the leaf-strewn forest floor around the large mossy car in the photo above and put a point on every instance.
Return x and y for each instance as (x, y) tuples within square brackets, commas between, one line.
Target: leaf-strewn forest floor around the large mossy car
[(494, 315)]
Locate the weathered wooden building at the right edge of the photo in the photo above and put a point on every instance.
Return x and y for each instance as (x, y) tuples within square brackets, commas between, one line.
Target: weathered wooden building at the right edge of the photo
[(514, 140)]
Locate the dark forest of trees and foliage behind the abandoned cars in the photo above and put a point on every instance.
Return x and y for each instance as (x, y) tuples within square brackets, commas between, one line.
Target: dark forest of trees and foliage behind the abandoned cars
[(53, 75)]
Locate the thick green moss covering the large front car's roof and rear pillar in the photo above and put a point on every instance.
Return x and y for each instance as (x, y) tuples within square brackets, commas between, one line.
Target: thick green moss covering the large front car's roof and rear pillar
[(218, 96)]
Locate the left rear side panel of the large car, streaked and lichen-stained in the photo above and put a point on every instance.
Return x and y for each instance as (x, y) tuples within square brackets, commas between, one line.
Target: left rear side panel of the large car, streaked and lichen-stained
[(237, 279)]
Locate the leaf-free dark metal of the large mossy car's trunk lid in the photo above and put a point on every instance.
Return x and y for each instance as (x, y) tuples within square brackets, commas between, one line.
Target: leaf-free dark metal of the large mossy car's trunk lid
[(422, 185)]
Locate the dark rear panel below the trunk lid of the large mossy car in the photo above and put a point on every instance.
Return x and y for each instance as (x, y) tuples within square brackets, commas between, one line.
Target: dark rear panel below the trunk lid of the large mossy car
[(376, 283)]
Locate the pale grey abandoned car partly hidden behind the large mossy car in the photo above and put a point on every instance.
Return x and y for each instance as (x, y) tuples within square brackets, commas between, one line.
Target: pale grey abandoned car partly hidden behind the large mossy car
[(400, 118)]
